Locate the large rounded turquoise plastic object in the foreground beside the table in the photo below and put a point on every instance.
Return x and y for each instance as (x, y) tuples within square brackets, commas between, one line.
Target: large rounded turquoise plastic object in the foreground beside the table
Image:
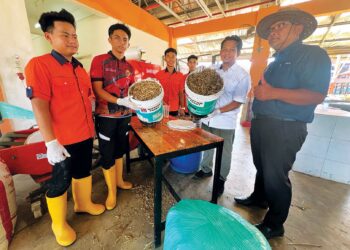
[(198, 225)]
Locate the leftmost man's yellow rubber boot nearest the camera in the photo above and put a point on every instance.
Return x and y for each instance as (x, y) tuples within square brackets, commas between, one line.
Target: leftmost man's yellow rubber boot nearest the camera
[(65, 235)]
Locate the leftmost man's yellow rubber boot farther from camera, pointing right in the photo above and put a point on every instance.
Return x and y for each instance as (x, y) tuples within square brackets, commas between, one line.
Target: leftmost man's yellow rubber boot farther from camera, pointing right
[(81, 189)]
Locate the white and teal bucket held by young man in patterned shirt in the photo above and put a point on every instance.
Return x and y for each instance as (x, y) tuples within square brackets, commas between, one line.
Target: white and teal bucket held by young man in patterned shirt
[(151, 111)]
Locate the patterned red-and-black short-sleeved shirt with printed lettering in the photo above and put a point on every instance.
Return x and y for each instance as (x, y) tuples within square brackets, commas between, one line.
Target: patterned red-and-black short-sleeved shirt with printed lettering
[(116, 75)]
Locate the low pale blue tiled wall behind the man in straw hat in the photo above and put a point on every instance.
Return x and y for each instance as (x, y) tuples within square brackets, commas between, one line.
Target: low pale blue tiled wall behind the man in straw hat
[(326, 151)]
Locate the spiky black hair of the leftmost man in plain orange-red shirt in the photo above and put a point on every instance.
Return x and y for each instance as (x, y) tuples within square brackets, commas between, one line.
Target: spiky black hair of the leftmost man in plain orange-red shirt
[(47, 19)]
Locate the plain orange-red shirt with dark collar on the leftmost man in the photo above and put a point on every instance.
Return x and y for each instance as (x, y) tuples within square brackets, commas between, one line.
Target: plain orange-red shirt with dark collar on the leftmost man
[(67, 88)]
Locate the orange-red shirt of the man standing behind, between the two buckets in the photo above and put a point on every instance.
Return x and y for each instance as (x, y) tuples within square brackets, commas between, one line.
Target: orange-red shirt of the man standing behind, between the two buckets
[(173, 84)]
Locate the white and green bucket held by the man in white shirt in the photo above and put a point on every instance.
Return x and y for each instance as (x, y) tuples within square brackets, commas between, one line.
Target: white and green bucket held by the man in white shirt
[(200, 105)]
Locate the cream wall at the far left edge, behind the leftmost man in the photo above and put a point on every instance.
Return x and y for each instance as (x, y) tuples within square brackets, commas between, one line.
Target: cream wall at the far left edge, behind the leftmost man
[(15, 40)]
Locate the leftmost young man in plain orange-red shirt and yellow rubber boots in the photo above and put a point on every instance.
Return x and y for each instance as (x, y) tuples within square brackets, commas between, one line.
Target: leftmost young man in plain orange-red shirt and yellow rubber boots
[(60, 92)]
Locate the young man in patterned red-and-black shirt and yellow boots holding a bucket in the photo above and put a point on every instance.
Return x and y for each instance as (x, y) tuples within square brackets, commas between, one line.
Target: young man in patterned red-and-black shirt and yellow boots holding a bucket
[(111, 76)]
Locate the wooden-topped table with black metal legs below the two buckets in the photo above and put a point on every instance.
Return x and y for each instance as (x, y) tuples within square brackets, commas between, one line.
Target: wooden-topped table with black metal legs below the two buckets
[(163, 143)]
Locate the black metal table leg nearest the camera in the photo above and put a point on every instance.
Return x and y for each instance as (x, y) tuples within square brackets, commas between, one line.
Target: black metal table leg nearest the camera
[(158, 201)]
